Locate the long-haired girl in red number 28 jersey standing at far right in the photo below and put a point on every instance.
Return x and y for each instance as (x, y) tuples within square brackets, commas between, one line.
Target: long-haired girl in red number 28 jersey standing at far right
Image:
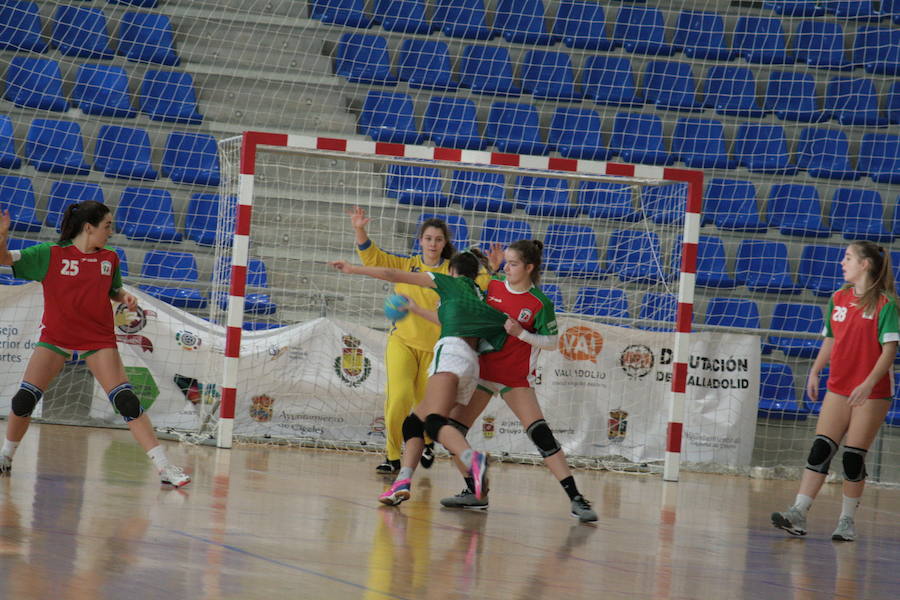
[(861, 336)]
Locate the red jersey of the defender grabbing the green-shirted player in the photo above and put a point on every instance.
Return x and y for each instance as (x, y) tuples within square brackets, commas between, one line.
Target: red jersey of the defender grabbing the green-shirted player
[(515, 363)]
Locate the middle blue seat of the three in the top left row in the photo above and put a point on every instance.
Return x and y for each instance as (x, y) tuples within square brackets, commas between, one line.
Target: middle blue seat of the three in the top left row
[(81, 31)]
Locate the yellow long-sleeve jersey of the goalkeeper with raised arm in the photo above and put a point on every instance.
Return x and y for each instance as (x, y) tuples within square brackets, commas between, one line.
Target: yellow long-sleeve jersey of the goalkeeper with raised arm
[(413, 330)]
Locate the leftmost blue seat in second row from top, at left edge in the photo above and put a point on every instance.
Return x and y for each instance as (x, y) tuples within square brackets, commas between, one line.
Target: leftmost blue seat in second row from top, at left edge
[(35, 83)]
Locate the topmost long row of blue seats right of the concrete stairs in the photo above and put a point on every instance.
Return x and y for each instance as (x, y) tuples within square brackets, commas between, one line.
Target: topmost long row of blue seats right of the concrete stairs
[(637, 29)]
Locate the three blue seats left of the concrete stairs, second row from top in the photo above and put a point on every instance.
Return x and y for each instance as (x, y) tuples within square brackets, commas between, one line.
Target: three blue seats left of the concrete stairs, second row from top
[(102, 90)]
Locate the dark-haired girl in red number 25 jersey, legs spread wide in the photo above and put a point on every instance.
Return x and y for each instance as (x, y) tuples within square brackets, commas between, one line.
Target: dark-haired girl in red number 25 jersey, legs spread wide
[(80, 276)]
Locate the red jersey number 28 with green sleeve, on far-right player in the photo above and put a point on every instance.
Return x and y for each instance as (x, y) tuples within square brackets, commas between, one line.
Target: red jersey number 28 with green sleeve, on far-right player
[(857, 342)]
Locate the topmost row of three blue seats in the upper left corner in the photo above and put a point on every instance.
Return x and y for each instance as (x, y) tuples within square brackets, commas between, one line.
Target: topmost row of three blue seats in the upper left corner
[(81, 31)]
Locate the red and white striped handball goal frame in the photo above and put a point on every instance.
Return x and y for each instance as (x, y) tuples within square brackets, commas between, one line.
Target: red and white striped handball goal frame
[(257, 150)]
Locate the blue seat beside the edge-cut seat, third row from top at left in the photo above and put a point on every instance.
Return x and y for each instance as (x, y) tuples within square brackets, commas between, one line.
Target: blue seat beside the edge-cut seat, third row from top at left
[(56, 147)]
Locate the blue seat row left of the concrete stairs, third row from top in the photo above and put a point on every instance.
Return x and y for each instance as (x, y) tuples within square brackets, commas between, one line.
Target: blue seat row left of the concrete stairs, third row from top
[(53, 146)]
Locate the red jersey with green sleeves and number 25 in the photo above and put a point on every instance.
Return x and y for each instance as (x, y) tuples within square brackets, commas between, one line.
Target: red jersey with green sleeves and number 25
[(77, 289)]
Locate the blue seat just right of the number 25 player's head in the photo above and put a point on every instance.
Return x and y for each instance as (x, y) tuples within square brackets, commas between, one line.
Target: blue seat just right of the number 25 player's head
[(146, 214)]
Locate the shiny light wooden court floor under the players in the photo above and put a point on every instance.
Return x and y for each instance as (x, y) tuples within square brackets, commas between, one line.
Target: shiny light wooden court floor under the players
[(83, 517)]
